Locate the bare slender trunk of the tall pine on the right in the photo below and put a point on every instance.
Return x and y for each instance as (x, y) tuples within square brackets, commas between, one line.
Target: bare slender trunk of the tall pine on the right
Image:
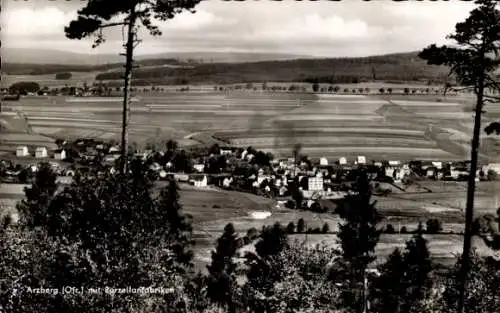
[(469, 211)]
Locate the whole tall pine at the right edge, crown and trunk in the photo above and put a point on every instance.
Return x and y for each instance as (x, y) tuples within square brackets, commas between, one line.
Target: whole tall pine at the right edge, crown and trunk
[(473, 60)]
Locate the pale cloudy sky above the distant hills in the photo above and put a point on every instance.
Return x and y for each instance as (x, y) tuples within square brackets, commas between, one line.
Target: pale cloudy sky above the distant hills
[(316, 28)]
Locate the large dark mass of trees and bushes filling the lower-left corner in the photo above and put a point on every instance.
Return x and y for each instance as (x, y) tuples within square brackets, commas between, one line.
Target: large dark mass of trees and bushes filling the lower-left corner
[(104, 232)]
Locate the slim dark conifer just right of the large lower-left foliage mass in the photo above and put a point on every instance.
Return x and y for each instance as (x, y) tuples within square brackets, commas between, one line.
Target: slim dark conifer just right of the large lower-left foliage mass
[(222, 284)]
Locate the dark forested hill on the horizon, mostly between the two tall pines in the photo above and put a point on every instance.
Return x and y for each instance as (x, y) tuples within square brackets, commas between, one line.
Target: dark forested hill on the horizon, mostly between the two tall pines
[(394, 67)]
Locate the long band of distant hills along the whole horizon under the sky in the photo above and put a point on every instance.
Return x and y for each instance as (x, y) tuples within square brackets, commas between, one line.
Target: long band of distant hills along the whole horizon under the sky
[(243, 67)]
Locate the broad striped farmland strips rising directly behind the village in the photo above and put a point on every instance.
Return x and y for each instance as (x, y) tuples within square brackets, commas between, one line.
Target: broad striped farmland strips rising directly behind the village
[(389, 127)]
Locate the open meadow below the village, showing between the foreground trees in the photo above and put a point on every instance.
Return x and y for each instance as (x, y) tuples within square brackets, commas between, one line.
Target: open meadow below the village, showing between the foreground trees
[(213, 209)]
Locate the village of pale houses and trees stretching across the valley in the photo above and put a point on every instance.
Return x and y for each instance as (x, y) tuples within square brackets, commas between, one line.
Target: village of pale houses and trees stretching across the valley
[(232, 168)]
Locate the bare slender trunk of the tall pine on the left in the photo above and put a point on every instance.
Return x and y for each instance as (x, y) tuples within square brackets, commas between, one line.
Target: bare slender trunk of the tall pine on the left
[(127, 90)]
